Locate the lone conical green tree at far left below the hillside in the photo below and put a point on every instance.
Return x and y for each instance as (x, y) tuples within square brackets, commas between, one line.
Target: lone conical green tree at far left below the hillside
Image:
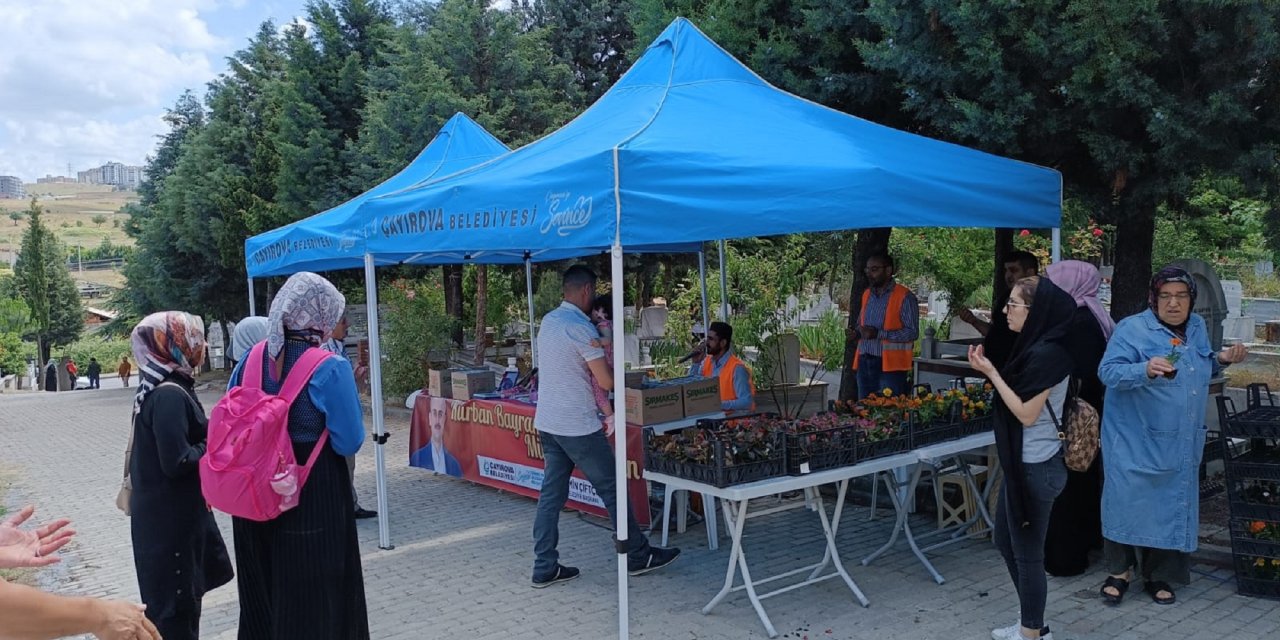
[(45, 286)]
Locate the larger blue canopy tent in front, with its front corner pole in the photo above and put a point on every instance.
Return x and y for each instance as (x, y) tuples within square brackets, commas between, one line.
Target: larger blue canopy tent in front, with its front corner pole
[(689, 147)]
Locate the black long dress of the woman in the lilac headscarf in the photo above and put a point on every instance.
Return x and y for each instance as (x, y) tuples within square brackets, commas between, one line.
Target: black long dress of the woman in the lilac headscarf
[(1076, 524)]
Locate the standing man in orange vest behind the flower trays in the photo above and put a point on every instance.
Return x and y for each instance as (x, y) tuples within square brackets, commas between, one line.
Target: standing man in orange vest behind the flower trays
[(888, 330)]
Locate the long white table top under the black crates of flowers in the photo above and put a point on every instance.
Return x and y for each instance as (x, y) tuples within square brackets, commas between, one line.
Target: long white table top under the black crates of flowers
[(772, 486)]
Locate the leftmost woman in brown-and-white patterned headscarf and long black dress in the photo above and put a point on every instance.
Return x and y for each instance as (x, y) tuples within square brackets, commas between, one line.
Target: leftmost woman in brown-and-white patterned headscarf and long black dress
[(177, 550)]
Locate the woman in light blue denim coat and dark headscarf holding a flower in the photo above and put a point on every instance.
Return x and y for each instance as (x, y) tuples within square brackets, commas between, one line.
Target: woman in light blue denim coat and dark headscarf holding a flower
[(1156, 369)]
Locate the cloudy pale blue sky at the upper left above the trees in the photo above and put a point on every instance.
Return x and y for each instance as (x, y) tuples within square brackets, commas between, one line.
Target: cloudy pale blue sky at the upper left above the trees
[(86, 83)]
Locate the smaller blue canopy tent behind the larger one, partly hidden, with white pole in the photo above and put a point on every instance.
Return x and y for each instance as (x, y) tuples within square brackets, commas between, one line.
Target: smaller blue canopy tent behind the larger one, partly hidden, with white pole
[(335, 240)]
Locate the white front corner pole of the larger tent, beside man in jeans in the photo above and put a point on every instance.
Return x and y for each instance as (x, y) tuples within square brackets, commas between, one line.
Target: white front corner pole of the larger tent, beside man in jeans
[(620, 442)]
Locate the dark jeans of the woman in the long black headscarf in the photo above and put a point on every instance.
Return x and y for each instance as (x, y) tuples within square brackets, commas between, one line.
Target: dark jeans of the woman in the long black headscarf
[(1023, 548)]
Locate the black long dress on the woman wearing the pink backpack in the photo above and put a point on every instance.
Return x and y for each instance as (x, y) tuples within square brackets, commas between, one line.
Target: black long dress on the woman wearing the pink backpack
[(300, 575)]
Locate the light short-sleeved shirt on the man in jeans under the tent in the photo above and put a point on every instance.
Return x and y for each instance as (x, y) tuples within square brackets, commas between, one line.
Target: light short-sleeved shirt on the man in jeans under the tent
[(565, 399)]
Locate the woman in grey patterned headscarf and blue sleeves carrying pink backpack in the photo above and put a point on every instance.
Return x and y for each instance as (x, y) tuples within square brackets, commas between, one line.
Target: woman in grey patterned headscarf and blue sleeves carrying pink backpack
[(301, 572)]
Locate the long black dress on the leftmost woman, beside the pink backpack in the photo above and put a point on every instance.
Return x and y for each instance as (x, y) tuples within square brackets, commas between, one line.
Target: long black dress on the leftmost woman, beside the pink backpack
[(177, 550)]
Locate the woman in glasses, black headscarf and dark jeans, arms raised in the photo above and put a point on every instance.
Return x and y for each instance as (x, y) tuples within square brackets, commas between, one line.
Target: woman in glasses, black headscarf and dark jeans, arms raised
[(1031, 390)]
